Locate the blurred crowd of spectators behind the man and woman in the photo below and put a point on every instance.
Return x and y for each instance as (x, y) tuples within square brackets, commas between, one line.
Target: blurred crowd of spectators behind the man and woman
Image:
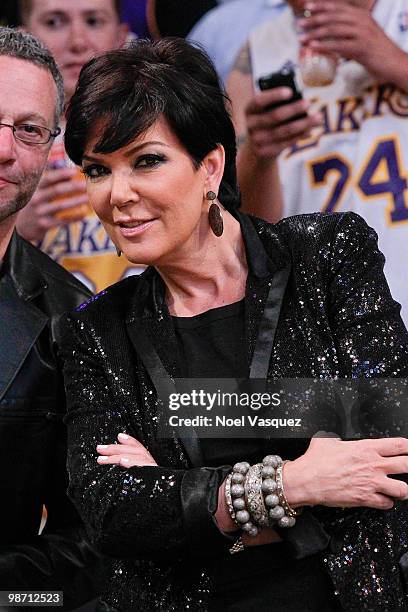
[(341, 146)]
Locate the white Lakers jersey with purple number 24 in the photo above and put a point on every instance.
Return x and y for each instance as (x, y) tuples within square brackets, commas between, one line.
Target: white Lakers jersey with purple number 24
[(359, 160)]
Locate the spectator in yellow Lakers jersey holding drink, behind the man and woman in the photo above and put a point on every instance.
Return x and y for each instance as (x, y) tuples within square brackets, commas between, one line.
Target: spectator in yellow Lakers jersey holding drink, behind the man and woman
[(58, 218)]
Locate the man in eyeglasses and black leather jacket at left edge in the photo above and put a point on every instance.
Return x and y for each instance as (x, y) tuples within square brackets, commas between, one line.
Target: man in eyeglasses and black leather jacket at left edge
[(34, 291)]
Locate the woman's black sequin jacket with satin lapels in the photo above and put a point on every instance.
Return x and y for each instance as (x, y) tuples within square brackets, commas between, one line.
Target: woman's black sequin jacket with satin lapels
[(337, 319)]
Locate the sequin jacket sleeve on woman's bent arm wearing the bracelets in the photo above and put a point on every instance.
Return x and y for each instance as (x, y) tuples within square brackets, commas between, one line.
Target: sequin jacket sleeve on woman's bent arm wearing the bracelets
[(138, 512)]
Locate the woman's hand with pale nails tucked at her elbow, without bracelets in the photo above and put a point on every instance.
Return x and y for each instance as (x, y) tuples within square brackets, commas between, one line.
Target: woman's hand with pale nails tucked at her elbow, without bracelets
[(128, 453)]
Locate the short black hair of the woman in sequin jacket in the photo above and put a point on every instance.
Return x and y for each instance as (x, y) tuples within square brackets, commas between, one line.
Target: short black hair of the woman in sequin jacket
[(131, 88)]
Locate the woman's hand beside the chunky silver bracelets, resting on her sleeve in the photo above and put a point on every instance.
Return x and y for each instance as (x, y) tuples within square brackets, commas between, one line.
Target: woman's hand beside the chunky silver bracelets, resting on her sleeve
[(348, 474)]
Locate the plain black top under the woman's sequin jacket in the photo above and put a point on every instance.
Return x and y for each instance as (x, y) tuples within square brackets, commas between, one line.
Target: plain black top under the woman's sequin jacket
[(212, 345)]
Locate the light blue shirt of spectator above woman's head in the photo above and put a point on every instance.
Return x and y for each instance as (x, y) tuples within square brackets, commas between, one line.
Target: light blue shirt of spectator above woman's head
[(223, 30)]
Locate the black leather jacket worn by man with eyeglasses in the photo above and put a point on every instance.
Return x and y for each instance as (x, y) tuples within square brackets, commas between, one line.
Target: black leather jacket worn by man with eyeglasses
[(34, 291)]
